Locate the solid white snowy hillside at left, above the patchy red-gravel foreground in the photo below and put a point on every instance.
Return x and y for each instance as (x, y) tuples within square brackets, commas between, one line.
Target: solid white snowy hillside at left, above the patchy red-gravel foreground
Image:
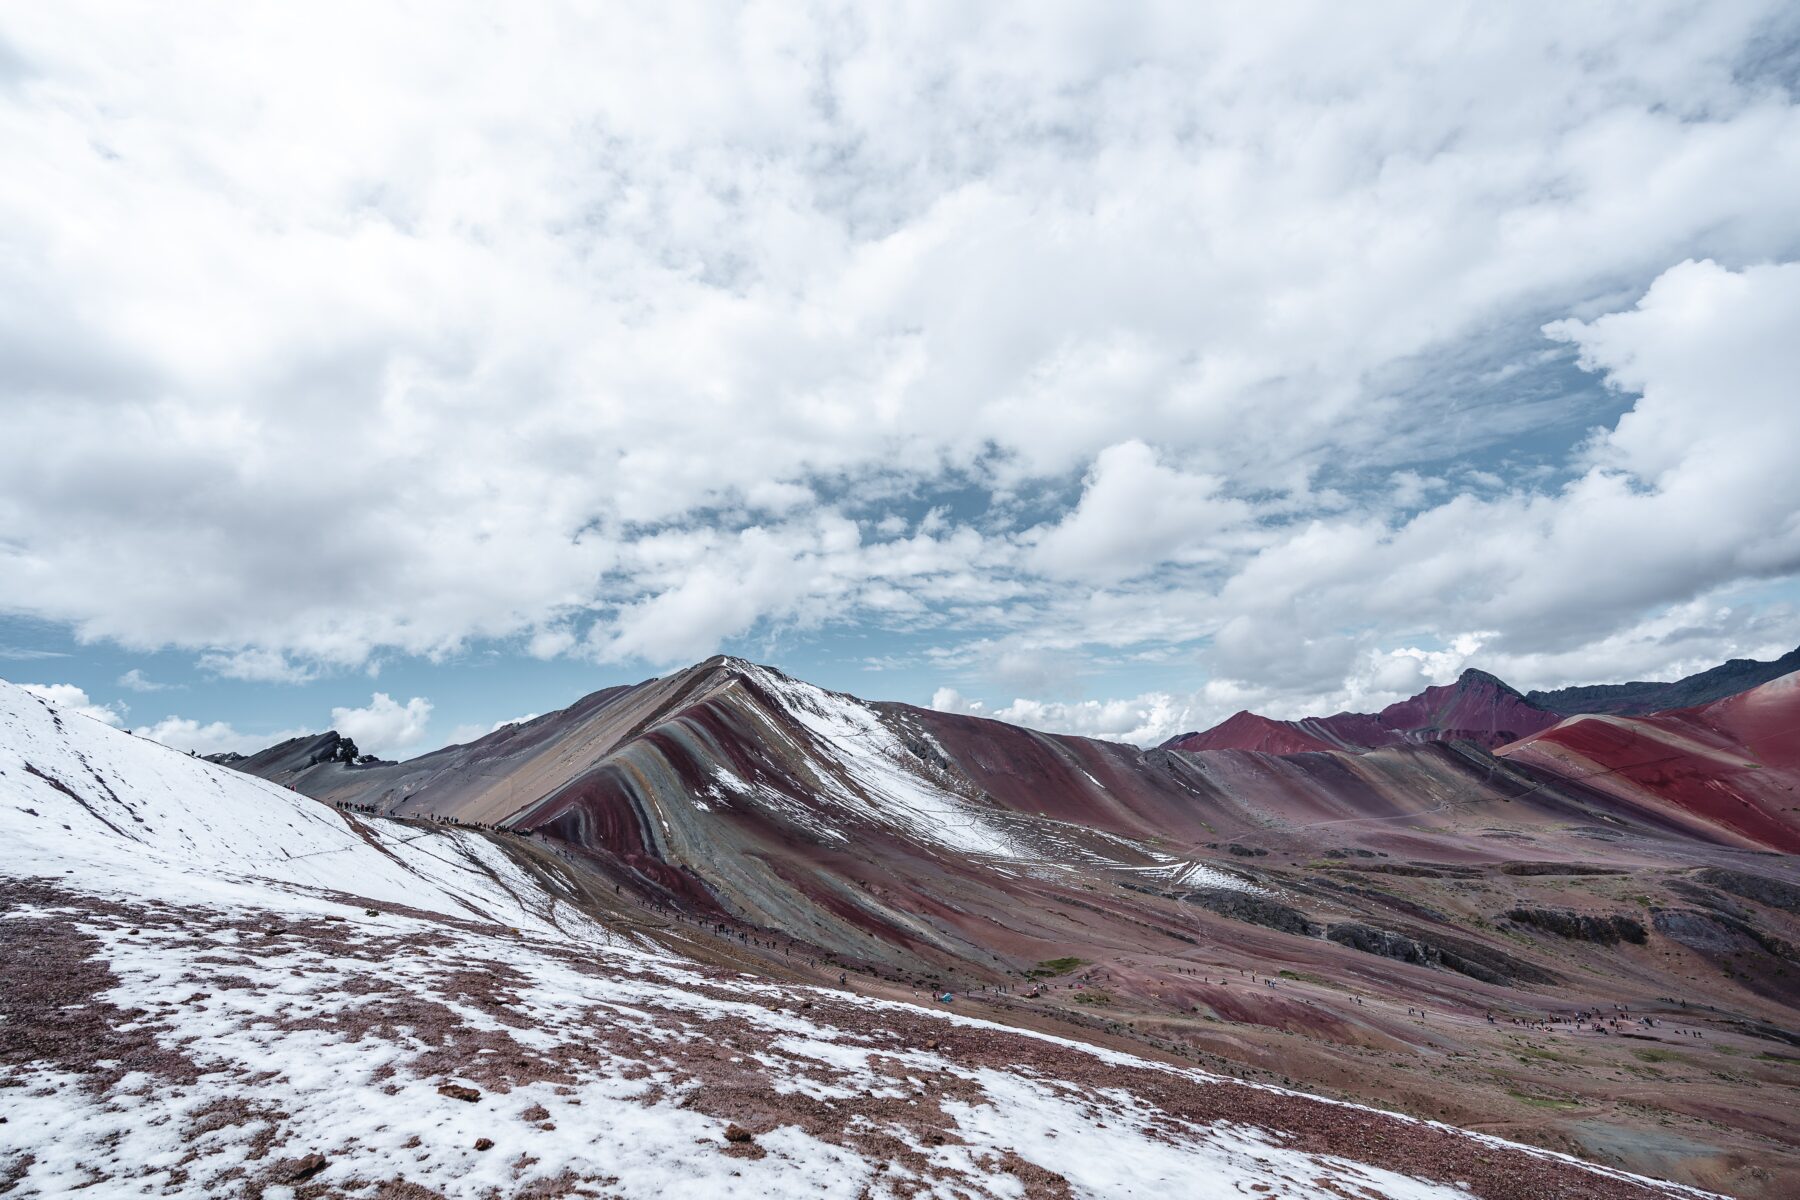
[(121, 816)]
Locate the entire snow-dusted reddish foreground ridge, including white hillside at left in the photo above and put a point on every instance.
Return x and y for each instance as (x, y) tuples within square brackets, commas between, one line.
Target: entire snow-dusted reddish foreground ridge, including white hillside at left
[(215, 987)]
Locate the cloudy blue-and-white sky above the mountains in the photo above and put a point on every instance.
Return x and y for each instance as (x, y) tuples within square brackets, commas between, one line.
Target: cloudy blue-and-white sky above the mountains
[(409, 370)]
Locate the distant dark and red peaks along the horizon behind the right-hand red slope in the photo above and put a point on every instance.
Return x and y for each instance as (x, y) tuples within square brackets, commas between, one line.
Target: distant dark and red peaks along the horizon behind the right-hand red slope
[(1479, 708)]
